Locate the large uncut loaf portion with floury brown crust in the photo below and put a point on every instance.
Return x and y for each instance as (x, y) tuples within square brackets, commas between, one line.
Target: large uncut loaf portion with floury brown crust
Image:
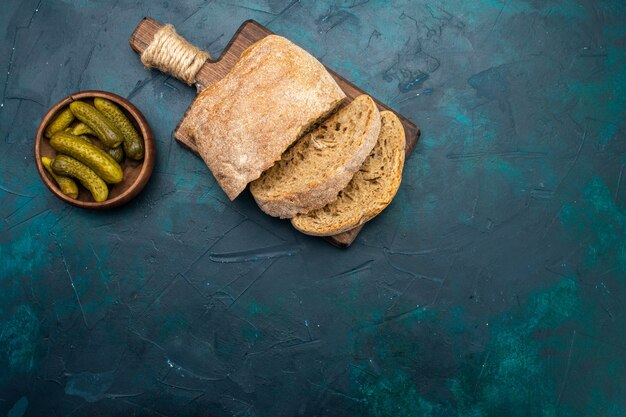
[(244, 122)]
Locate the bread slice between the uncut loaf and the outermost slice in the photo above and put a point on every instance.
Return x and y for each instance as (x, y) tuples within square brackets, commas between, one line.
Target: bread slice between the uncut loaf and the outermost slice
[(312, 172)]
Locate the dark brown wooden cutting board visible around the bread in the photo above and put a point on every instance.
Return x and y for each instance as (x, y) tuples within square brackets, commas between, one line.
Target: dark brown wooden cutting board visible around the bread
[(214, 70)]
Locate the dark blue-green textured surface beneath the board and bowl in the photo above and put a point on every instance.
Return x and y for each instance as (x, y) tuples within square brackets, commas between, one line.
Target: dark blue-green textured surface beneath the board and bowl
[(493, 285)]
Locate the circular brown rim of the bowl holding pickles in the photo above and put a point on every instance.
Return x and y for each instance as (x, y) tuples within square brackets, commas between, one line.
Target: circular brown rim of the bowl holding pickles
[(147, 165)]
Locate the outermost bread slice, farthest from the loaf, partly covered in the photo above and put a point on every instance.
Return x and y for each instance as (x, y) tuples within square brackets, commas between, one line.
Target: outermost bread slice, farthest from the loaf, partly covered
[(371, 189)]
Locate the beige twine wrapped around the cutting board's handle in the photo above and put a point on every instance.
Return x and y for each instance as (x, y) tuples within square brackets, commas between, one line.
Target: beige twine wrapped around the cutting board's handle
[(171, 53)]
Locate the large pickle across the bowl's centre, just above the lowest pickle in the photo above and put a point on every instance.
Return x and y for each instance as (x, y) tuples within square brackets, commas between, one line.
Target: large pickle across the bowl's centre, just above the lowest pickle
[(95, 158)]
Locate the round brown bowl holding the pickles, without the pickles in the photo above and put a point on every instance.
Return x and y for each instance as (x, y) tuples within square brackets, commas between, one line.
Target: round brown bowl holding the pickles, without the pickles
[(136, 173)]
